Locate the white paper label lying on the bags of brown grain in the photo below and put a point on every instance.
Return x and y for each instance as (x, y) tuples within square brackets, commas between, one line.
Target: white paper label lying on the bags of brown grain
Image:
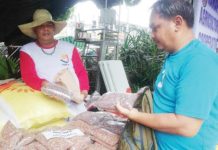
[(62, 133)]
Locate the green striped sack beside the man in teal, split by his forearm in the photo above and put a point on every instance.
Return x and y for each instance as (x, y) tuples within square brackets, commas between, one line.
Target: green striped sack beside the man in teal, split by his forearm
[(136, 136)]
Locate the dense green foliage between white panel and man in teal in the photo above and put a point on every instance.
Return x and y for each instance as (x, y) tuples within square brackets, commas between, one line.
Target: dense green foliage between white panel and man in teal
[(141, 59)]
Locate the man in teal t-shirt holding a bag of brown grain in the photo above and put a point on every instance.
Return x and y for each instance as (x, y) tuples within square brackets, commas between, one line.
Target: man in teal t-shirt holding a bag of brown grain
[(186, 90)]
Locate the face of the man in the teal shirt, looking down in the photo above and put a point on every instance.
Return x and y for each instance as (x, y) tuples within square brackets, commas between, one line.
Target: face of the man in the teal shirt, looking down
[(162, 32)]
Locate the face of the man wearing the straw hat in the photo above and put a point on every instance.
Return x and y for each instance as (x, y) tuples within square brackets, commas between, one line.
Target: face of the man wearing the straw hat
[(45, 31)]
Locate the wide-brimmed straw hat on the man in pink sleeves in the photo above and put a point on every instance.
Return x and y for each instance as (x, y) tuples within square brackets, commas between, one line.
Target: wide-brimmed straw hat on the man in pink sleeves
[(40, 17)]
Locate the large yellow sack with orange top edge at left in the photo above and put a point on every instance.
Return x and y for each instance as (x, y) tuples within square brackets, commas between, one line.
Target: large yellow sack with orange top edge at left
[(29, 108)]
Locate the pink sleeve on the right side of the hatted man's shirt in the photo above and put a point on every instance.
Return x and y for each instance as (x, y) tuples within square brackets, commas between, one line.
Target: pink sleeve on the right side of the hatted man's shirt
[(80, 70)]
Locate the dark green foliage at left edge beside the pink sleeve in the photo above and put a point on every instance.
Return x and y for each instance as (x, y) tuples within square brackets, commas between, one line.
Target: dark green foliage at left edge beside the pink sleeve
[(9, 67)]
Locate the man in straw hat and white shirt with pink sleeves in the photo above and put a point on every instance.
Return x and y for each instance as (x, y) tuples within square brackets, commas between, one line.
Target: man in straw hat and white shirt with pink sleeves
[(41, 61)]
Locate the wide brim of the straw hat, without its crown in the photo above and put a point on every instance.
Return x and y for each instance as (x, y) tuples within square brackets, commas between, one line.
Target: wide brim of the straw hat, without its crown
[(27, 28)]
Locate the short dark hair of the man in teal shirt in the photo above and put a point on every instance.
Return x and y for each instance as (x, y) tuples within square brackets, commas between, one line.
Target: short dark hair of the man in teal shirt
[(171, 8)]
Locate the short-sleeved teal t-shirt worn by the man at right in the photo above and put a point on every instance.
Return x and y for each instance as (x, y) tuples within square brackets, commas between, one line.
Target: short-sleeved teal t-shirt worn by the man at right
[(188, 85)]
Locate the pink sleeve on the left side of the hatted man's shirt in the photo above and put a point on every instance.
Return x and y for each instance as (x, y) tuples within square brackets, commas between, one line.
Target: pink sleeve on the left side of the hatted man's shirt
[(28, 72)]
